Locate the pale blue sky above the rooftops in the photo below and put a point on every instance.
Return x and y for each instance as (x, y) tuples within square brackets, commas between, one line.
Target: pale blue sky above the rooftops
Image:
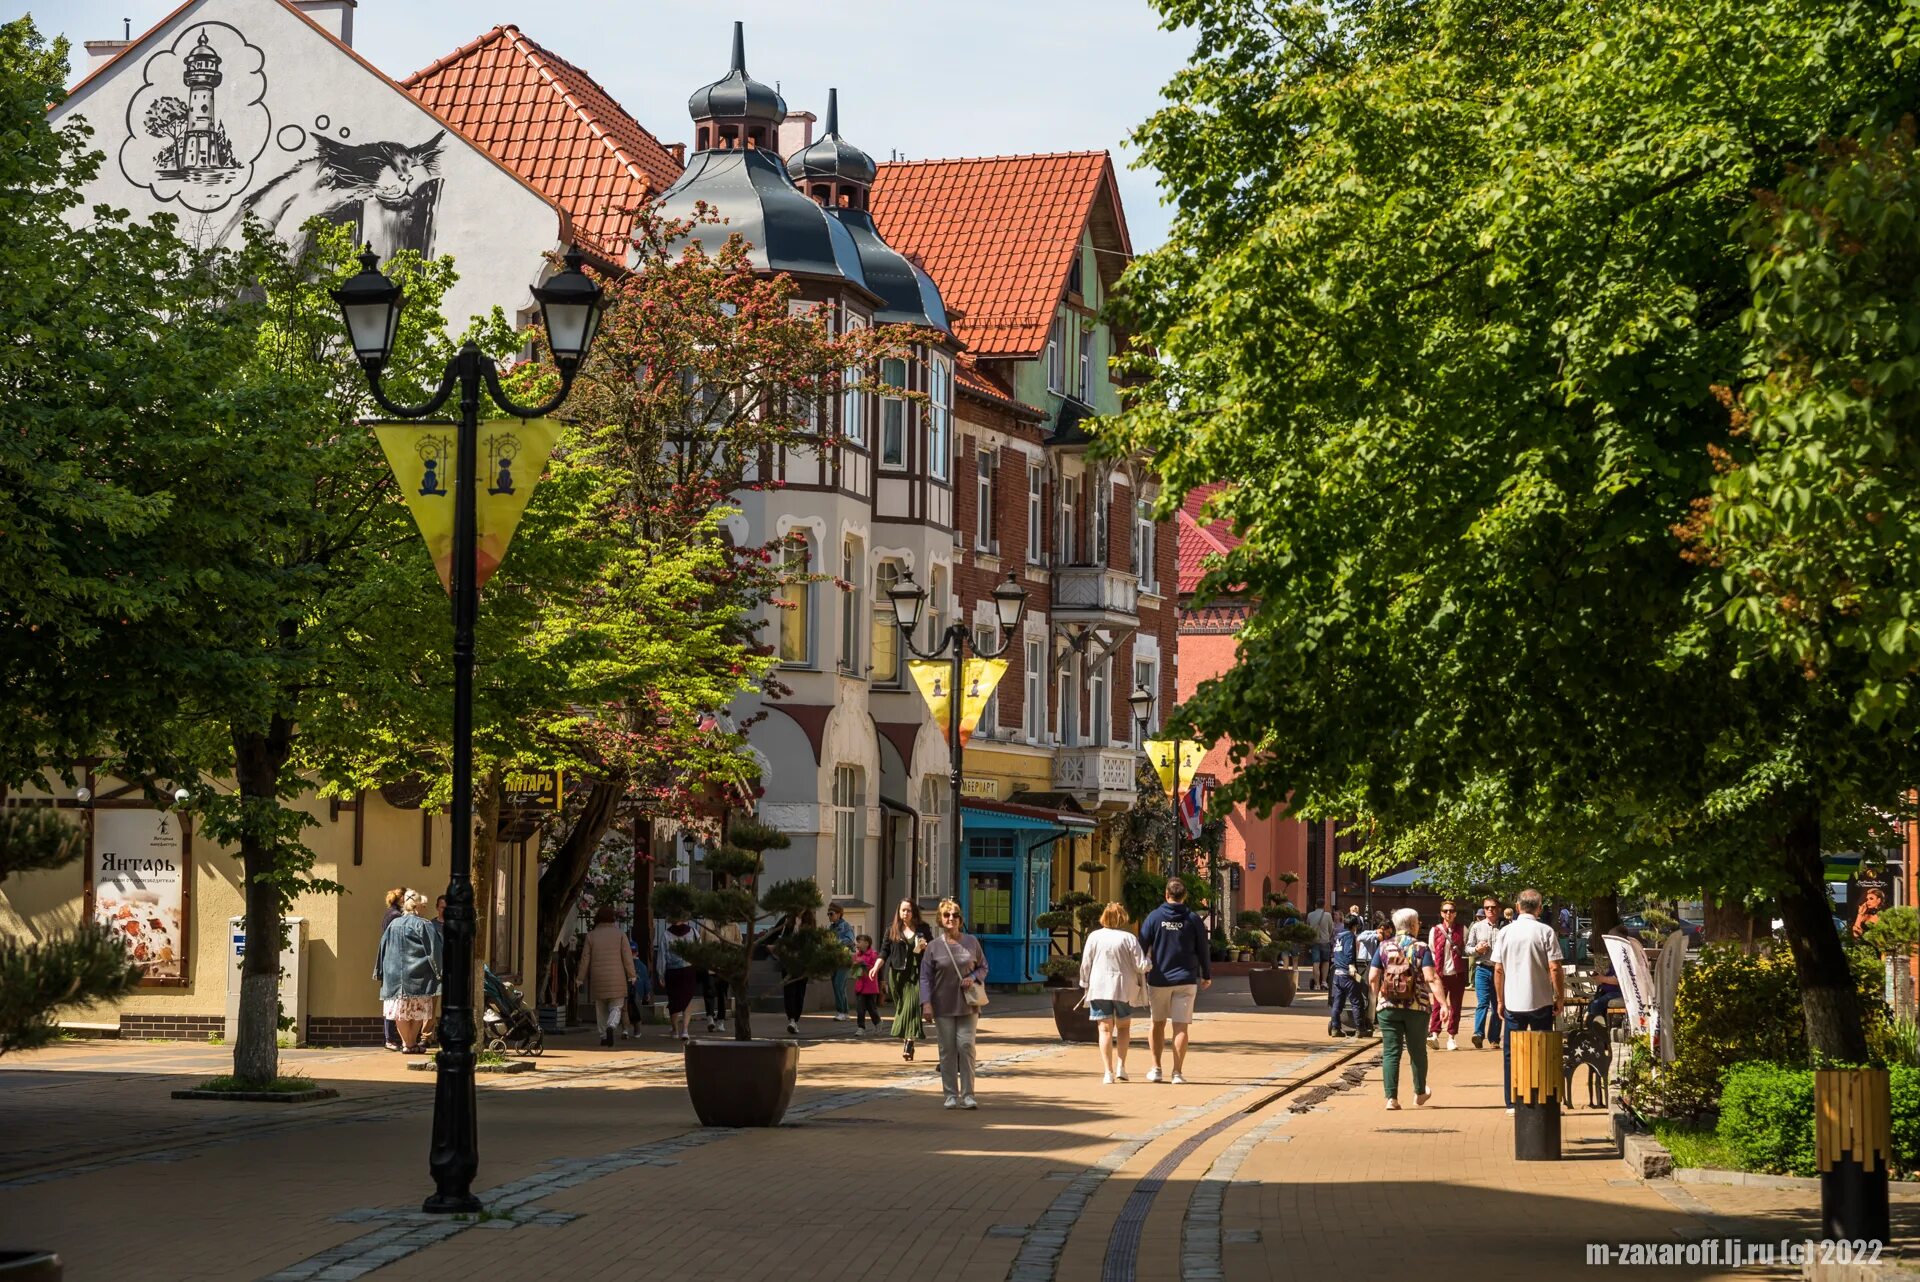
[(978, 78)]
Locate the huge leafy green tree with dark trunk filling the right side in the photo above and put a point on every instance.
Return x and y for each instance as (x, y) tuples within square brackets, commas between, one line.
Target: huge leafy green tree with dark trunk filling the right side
[(1451, 293)]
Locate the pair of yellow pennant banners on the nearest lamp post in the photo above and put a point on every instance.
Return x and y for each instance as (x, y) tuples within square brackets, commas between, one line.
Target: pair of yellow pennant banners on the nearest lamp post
[(512, 458)]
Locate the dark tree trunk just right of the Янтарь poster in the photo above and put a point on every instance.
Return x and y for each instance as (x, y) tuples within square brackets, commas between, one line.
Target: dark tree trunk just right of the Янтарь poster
[(258, 763)]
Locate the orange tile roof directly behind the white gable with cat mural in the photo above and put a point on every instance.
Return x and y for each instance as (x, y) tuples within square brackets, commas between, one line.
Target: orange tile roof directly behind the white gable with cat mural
[(556, 128)]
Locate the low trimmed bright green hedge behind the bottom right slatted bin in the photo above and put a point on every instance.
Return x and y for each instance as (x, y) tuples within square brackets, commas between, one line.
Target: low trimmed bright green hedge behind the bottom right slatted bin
[(1767, 1118)]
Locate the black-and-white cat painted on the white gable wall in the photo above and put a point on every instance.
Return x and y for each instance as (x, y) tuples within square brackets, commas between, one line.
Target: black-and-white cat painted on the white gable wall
[(385, 191)]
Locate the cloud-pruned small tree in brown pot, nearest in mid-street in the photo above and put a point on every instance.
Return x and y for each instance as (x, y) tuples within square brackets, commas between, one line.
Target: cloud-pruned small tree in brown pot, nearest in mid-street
[(746, 1081)]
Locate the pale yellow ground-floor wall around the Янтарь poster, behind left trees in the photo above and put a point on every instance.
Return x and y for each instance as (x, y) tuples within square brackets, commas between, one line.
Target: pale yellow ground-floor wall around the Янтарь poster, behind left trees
[(343, 930)]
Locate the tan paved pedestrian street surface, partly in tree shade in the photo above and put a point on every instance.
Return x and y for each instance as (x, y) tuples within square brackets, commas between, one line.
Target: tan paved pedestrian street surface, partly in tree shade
[(594, 1168)]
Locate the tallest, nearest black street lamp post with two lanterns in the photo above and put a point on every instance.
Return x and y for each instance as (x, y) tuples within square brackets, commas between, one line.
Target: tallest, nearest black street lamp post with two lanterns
[(372, 308)]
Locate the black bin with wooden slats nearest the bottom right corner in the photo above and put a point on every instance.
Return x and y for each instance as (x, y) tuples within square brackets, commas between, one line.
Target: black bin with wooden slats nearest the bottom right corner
[(1854, 1145)]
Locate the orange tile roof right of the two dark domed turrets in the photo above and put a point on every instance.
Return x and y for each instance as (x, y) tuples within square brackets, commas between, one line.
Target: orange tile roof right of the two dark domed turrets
[(997, 235)]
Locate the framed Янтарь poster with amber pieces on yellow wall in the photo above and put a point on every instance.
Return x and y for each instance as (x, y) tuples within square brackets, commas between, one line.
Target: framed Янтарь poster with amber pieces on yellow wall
[(139, 886)]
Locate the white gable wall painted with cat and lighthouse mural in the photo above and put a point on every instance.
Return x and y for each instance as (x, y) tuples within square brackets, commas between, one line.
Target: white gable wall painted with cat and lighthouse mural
[(243, 108)]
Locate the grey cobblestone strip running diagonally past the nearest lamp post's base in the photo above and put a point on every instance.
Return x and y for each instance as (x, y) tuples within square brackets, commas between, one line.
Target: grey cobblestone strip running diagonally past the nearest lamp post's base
[(510, 1206)]
